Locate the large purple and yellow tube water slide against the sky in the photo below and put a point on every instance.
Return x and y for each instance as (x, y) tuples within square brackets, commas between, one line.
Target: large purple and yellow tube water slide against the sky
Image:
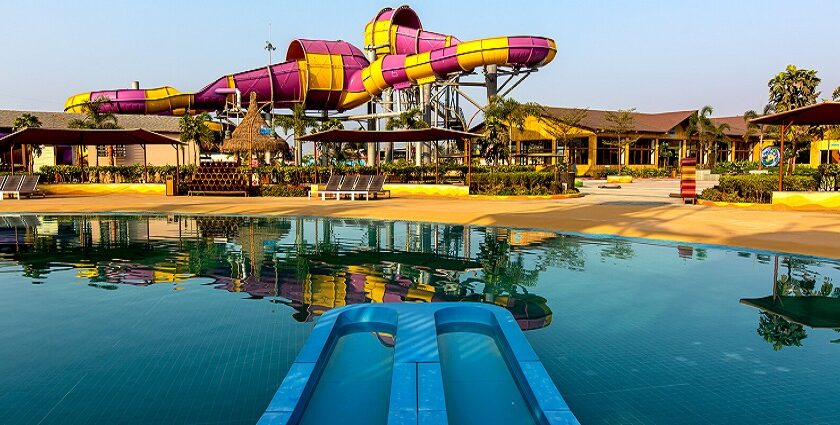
[(335, 75)]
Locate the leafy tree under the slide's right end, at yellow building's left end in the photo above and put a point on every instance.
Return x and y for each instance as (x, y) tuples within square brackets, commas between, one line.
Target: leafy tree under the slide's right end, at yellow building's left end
[(500, 117)]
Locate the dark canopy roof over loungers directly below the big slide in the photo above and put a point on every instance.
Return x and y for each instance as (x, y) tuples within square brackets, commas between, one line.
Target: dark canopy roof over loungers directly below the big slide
[(395, 136)]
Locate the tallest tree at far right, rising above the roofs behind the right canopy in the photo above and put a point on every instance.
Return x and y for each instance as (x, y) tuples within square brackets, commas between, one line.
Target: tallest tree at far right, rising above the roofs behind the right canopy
[(790, 89)]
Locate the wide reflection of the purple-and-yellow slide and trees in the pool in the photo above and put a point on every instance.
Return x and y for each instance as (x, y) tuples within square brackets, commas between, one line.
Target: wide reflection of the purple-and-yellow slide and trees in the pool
[(308, 264)]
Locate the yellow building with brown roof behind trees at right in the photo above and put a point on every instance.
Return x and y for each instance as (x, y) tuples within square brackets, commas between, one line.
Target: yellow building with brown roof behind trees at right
[(661, 141)]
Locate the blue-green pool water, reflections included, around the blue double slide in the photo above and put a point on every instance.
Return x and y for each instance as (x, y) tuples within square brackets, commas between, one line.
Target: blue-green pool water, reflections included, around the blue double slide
[(173, 319)]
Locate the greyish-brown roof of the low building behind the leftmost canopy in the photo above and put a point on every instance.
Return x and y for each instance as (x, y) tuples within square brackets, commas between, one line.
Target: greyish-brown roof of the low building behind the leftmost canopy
[(156, 123)]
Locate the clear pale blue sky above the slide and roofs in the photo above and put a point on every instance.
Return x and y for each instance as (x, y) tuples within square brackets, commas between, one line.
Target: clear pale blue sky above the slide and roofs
[(654, 55)]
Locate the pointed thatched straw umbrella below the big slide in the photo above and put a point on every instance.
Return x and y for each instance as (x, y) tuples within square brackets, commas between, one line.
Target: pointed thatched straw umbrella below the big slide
[(248, 136)]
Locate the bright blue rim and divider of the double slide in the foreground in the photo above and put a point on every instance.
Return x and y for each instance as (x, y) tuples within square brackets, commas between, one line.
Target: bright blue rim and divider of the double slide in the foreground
[(417, 388)]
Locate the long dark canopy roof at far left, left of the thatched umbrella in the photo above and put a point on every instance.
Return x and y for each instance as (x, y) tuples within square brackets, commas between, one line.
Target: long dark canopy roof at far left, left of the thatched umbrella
[(86, 137)]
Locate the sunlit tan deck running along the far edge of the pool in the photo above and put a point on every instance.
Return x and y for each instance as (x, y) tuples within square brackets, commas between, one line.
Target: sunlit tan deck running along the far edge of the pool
[(813, 233)]
